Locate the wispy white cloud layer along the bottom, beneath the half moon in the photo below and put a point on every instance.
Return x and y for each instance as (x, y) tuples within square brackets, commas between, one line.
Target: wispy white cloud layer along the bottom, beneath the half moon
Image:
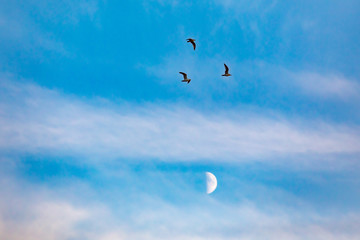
[(39, 212)]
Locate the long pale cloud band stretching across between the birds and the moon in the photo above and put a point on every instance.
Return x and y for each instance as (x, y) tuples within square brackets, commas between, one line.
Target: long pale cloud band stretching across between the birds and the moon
[(38, 120)]
